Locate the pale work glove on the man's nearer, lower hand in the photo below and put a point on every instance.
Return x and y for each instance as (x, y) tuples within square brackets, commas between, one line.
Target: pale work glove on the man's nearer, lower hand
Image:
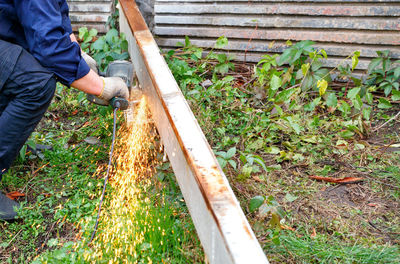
[(112, 87)]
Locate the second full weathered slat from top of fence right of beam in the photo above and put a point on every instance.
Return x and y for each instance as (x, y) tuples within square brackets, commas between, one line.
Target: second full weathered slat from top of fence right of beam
[(281, 22)]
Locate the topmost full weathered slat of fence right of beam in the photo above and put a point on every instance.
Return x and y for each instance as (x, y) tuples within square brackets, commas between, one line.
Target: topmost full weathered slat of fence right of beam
[(317, 9)]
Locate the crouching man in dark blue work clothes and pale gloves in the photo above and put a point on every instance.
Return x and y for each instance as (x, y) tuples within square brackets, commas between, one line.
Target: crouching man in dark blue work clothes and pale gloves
[(38, 48)]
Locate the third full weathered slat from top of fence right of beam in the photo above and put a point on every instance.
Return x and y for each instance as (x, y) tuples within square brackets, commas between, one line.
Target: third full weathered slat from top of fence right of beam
[(375, 38)]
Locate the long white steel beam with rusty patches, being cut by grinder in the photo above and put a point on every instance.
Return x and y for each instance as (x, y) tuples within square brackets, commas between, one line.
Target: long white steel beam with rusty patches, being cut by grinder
[(220, 223)]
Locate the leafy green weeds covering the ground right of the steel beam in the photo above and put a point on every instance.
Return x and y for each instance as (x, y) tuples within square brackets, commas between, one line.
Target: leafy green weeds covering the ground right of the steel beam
[(287, 120)]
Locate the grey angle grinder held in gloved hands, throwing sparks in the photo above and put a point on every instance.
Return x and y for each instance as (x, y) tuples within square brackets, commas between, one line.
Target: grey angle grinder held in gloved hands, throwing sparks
[(124, 70)]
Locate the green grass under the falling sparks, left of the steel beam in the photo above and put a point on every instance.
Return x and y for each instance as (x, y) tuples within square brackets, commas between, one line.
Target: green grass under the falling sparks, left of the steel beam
[(62, 188)]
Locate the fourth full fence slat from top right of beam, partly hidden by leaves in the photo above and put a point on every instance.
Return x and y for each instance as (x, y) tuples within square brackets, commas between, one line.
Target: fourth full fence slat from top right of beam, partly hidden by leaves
[(278, 47)]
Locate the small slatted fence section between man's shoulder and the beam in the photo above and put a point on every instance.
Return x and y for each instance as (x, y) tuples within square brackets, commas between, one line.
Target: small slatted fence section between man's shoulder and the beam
[(90, 13)]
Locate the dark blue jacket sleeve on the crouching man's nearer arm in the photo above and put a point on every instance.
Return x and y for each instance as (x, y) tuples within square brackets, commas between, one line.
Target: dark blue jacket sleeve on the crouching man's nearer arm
[(47, 34)]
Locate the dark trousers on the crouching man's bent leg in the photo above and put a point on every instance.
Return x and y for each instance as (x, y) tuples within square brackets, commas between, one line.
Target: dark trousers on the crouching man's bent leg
[(26, 90)]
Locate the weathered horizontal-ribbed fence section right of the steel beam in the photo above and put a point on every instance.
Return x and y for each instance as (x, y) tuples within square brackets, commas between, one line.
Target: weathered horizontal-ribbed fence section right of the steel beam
[(257, 27)]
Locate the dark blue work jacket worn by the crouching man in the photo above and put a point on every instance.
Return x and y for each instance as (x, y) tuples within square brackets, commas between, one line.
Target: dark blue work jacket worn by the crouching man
[(43, 27)]
